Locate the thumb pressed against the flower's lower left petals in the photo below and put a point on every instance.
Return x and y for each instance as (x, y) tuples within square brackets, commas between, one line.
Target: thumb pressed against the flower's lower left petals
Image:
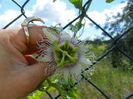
[(30, 77)]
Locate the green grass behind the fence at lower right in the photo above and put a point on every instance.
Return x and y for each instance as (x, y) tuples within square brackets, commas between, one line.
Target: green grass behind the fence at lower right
[(116, 83)]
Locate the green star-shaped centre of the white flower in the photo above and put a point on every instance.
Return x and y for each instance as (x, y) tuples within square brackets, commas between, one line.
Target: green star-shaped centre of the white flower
[(65, 54)]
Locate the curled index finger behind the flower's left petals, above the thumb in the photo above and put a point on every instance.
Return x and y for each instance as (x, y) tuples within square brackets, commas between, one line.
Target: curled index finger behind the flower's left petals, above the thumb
[(19, 39)]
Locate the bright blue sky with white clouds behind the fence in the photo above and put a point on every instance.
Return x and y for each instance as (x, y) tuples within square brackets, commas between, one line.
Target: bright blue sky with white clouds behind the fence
[(60, 12)]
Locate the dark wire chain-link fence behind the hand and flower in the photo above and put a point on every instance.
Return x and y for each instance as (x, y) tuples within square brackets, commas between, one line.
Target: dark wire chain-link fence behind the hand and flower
[(115, 44)]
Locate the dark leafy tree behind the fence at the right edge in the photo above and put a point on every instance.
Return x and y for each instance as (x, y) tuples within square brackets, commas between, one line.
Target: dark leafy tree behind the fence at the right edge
[(123, 22)]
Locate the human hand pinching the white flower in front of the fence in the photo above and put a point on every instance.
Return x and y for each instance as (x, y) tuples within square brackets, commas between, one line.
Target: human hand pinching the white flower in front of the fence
[(19, 73)]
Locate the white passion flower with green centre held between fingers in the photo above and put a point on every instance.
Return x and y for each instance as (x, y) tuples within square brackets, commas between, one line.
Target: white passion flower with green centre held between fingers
[(62, 51)]
